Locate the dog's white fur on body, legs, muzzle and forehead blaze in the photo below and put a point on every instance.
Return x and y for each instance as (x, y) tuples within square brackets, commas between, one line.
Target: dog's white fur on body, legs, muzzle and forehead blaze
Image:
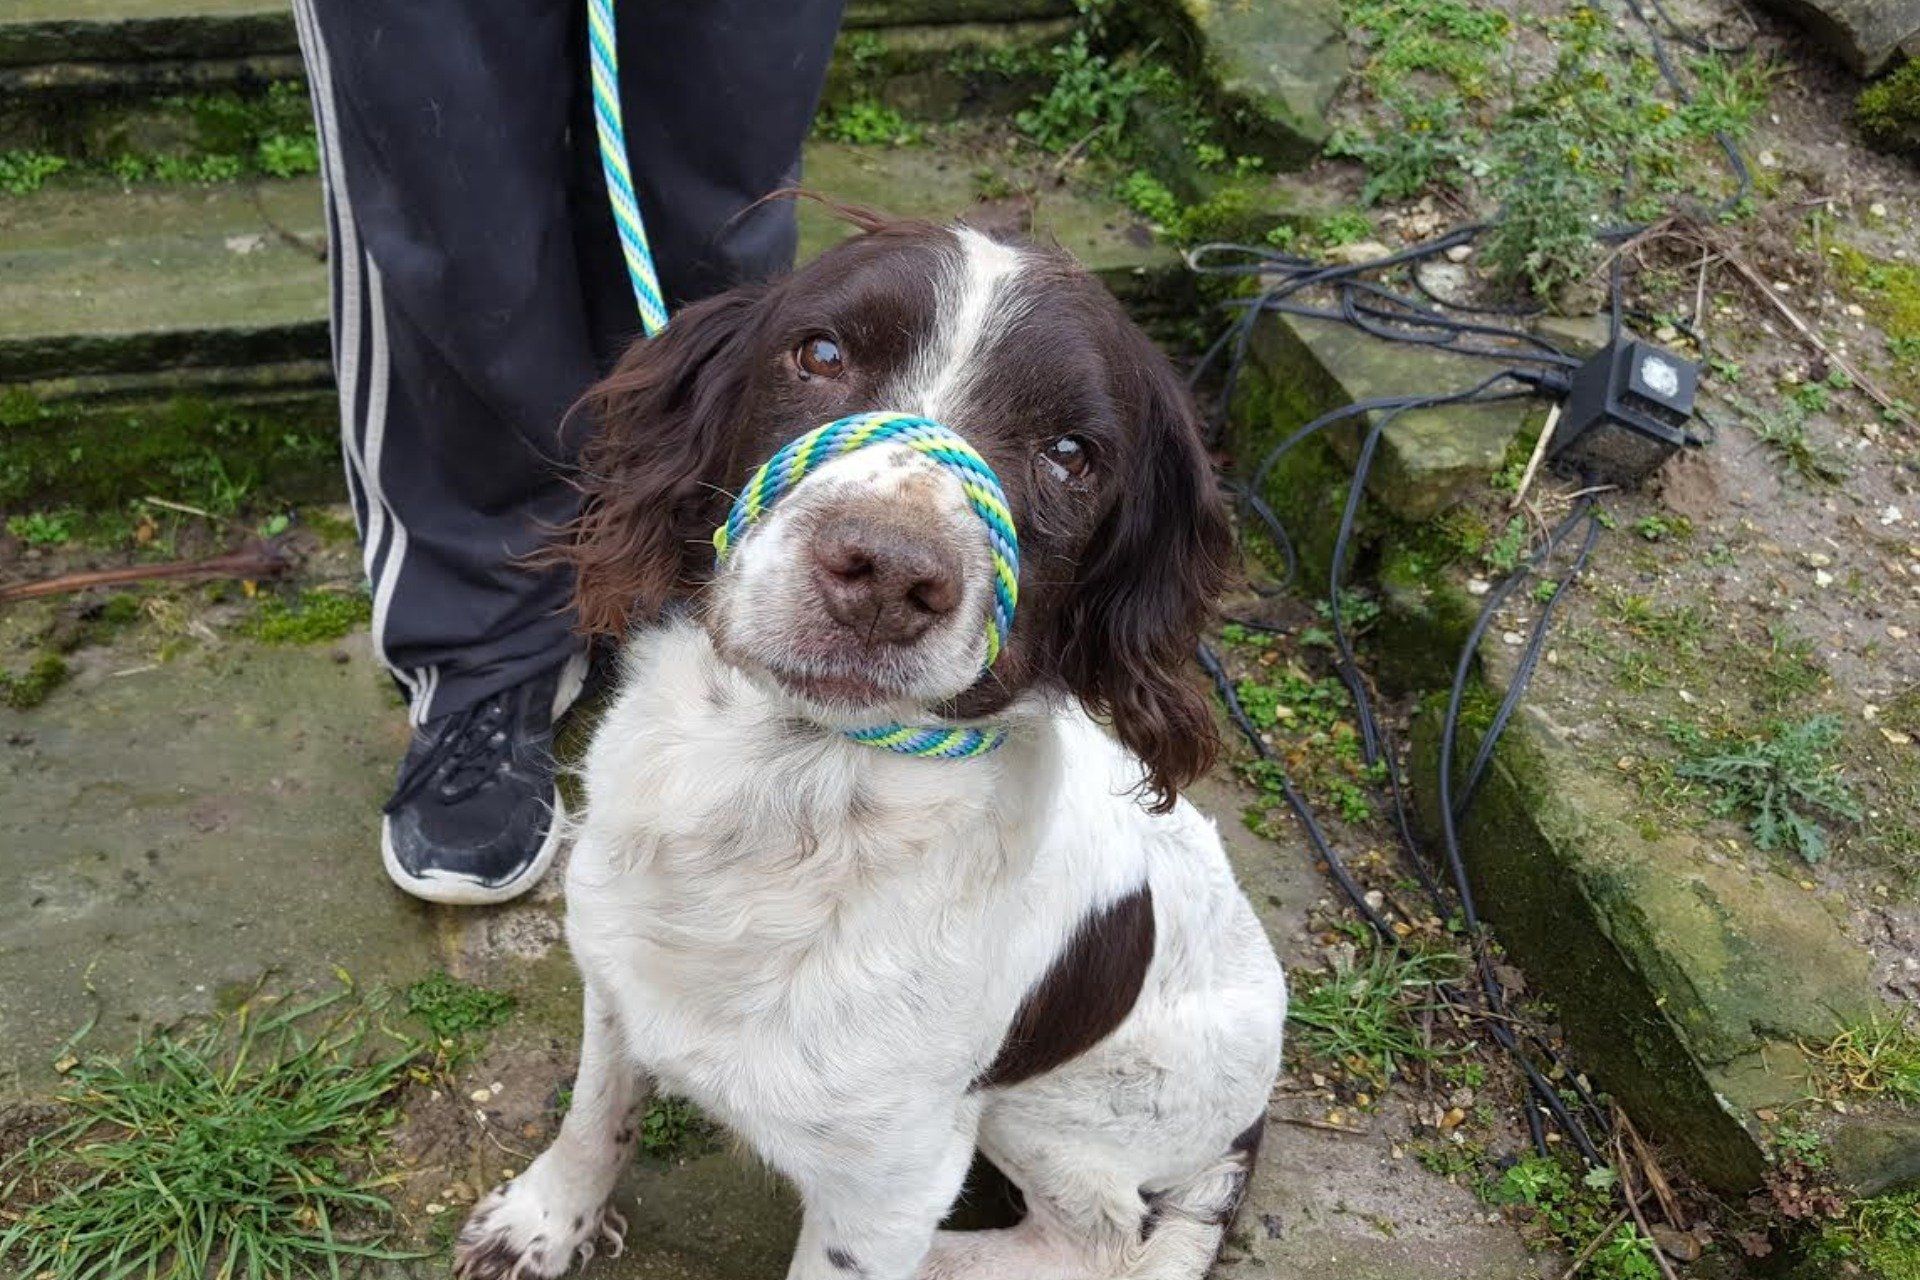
[(825, 945)]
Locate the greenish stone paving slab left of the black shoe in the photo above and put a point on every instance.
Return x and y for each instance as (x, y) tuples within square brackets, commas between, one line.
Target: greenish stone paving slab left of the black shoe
[(176, 834)]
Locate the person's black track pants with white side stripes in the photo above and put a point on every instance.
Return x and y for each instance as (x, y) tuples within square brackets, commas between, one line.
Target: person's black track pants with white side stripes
[(479, 285)]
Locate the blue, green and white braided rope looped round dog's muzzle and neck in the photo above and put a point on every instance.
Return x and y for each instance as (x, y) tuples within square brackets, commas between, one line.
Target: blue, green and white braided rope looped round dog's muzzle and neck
[(805, 454)]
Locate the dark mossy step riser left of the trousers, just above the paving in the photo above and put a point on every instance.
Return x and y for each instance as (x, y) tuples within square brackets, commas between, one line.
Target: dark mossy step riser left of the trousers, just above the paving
[(204, 454)]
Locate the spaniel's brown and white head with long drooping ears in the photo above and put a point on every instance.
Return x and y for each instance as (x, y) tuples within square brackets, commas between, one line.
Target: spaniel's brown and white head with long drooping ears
[(867, 588)]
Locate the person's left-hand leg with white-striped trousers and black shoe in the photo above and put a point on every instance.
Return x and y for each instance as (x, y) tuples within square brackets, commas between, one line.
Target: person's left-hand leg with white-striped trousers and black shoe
[(460, 343)]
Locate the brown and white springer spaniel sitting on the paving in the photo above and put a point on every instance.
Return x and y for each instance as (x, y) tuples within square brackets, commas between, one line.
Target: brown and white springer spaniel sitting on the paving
[(871, 964)]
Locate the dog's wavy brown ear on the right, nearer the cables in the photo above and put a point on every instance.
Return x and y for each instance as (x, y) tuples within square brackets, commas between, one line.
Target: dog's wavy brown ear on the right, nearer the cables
[(1157, 567)]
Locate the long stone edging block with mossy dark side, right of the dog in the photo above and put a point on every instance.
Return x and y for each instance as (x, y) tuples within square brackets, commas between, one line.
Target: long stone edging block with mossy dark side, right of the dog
[(1675, 974)]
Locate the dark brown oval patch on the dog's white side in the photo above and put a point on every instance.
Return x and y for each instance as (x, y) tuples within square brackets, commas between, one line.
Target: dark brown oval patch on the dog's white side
[(1086, 995)]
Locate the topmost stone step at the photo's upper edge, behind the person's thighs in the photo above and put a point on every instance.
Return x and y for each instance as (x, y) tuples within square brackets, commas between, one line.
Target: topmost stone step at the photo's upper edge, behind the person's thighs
[(70, 66)]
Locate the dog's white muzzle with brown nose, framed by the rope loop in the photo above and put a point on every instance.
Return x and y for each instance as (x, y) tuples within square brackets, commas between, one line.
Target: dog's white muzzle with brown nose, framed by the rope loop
[(867, 586)]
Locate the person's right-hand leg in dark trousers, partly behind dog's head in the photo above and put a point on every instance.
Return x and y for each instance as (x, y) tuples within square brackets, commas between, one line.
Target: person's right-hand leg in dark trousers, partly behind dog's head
[(717, 99)]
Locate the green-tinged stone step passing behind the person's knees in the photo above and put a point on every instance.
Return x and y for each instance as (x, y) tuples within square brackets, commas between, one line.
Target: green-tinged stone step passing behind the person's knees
[(110, 293)]
